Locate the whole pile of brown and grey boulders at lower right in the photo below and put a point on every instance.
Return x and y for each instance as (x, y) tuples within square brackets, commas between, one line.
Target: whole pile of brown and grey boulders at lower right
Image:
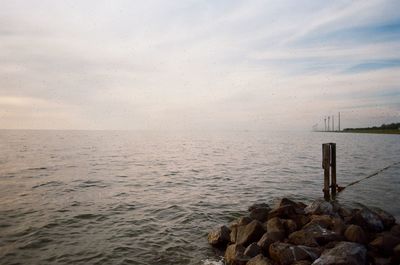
[(322, 233)]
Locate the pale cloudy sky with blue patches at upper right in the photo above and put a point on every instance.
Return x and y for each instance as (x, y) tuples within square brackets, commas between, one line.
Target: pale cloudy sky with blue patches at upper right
[(198, 65)]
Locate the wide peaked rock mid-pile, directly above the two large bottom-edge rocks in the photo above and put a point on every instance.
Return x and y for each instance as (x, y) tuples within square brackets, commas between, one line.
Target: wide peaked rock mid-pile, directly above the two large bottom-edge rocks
[(313, 236)]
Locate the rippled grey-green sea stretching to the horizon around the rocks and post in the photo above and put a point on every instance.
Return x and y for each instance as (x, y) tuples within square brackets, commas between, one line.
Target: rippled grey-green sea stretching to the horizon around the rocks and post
[(140, 197)]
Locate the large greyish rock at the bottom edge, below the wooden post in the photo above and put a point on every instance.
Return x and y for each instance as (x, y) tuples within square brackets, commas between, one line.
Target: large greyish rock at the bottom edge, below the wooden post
[(344, 253)]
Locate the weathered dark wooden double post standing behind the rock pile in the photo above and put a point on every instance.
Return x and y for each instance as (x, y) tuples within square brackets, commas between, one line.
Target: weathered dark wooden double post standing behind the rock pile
[(329, 166)]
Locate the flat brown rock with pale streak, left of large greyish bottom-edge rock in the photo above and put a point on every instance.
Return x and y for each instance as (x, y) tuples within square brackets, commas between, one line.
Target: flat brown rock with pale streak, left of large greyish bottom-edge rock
[(286, 254)]
